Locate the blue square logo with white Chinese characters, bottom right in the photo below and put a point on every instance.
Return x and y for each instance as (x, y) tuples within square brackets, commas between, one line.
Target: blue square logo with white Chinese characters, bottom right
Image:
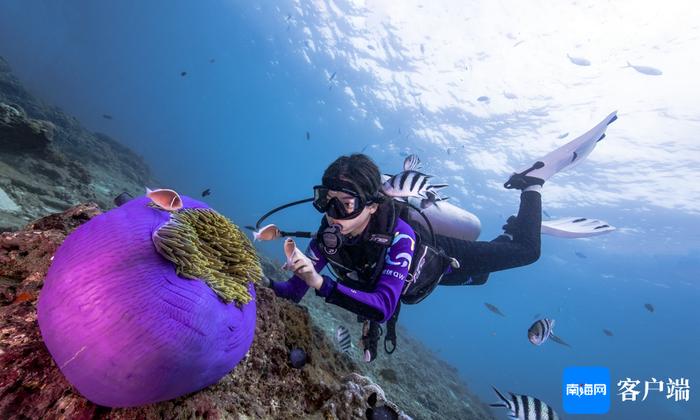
[(586, 390)]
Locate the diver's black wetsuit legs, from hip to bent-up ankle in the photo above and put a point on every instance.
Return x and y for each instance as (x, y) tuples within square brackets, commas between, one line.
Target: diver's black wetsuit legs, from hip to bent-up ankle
[(478, 258)]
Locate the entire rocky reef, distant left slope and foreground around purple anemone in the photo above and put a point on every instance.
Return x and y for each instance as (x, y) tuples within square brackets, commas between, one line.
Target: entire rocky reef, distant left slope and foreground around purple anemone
[(48, 162)]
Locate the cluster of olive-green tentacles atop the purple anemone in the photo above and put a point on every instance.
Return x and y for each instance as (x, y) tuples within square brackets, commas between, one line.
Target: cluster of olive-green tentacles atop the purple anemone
[(205, 245)]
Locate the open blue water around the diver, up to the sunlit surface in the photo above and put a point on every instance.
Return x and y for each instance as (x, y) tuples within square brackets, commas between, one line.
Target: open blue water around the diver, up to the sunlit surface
[(238, 126)]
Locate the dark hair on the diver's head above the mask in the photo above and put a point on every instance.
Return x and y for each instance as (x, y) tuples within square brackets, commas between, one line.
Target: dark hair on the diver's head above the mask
[(359, 170)]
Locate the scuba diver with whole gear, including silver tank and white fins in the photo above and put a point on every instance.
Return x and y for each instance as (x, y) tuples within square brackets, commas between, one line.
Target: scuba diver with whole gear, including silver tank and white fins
[(393, 239)]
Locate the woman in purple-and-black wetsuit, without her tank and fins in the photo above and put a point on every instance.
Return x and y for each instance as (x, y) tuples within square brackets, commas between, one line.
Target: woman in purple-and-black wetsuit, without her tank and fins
[(354, 235)]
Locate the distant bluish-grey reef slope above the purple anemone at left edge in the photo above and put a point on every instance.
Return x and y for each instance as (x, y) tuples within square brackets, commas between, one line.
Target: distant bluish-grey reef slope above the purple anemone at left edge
[(49, 162)]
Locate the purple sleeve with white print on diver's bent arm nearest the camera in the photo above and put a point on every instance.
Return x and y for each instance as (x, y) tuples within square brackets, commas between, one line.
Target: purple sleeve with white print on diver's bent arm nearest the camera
[(380, 303)]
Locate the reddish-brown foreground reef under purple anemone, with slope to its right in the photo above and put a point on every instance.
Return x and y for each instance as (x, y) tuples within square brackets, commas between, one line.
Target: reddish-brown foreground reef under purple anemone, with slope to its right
[(331, 385)]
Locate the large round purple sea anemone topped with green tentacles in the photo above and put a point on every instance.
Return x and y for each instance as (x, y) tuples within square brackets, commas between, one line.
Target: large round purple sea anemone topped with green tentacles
[(129, 325)]
